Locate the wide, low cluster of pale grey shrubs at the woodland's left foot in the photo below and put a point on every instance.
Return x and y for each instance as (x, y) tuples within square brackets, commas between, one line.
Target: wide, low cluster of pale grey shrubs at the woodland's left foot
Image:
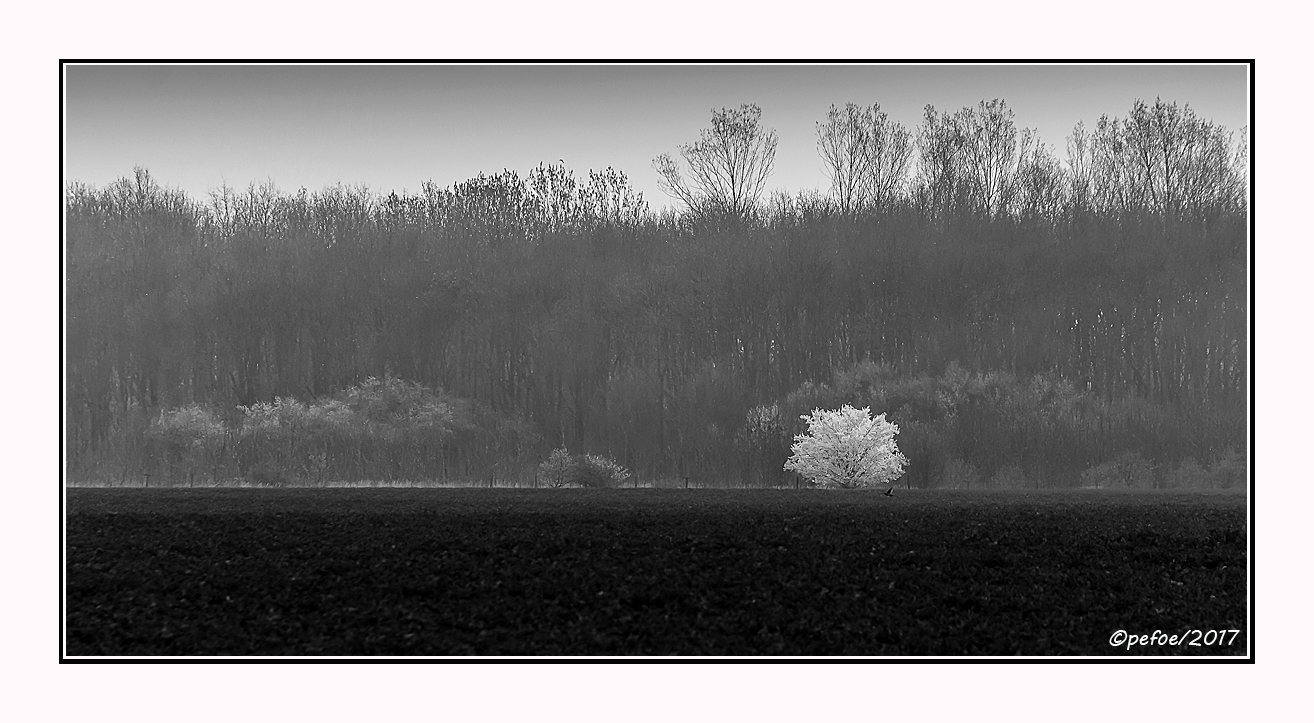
[(383, 429)]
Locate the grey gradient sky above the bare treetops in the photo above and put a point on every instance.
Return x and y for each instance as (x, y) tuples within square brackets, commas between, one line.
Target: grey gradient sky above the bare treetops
[(394, 128)]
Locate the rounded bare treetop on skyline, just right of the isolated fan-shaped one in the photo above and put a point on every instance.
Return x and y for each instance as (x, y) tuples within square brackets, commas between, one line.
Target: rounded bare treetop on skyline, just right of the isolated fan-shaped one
[(867, 156)]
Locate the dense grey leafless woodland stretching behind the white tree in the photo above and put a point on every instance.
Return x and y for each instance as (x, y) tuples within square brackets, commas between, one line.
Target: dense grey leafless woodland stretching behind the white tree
[(1027, 321)]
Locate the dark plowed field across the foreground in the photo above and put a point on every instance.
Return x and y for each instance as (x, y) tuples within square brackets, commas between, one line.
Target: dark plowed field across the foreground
[(466, 572)]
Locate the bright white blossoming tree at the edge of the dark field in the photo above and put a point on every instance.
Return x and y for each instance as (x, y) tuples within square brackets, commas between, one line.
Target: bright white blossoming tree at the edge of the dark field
[(848, 449)]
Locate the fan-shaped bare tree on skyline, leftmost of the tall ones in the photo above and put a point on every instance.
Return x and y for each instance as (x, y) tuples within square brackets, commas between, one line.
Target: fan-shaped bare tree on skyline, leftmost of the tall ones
[(729, 165)]
